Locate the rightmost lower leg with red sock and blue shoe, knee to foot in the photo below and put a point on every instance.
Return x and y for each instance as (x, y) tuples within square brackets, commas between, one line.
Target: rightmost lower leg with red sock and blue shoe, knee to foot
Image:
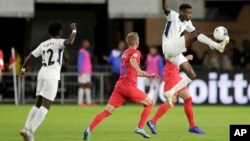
[(188, 109)]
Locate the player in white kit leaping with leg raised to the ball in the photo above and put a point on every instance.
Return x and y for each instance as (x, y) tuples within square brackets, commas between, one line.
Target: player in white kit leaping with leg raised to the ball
[(174, 43)]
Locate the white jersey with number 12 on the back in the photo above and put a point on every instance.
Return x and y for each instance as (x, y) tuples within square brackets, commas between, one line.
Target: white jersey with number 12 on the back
[(52, 53)]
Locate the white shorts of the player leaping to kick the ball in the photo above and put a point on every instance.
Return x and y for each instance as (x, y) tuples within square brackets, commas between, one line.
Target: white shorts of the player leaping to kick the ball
[(173, 49)]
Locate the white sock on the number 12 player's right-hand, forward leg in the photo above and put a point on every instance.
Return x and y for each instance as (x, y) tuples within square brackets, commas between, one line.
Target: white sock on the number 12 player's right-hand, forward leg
[(38, 119)]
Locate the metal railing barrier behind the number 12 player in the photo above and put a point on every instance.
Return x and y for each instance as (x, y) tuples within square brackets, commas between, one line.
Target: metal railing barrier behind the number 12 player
[(67, 84)]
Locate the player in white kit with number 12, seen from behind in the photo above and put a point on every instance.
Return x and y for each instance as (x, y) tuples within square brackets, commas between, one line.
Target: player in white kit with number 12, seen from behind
[(51, 52)]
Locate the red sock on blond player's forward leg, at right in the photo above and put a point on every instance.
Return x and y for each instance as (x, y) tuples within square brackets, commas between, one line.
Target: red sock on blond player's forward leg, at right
[(144, 115)]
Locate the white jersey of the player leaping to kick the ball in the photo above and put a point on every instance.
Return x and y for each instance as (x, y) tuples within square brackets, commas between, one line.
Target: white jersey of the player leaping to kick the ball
[(174, 26)]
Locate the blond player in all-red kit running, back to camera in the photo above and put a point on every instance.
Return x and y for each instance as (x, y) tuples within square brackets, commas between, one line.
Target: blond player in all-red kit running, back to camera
[(126, 89)]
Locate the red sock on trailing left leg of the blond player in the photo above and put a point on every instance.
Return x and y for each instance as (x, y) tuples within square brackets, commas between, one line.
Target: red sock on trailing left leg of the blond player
[(98, 118)]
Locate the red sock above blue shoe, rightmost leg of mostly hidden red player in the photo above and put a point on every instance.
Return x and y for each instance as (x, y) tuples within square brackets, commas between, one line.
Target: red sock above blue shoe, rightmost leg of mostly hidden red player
[(189, 111)]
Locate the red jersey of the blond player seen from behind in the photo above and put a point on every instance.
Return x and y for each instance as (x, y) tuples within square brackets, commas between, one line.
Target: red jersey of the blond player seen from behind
[(128, 74)]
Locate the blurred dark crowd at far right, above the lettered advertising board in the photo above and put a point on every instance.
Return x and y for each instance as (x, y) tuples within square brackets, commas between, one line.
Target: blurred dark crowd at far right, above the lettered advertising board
[(232, 59)]
